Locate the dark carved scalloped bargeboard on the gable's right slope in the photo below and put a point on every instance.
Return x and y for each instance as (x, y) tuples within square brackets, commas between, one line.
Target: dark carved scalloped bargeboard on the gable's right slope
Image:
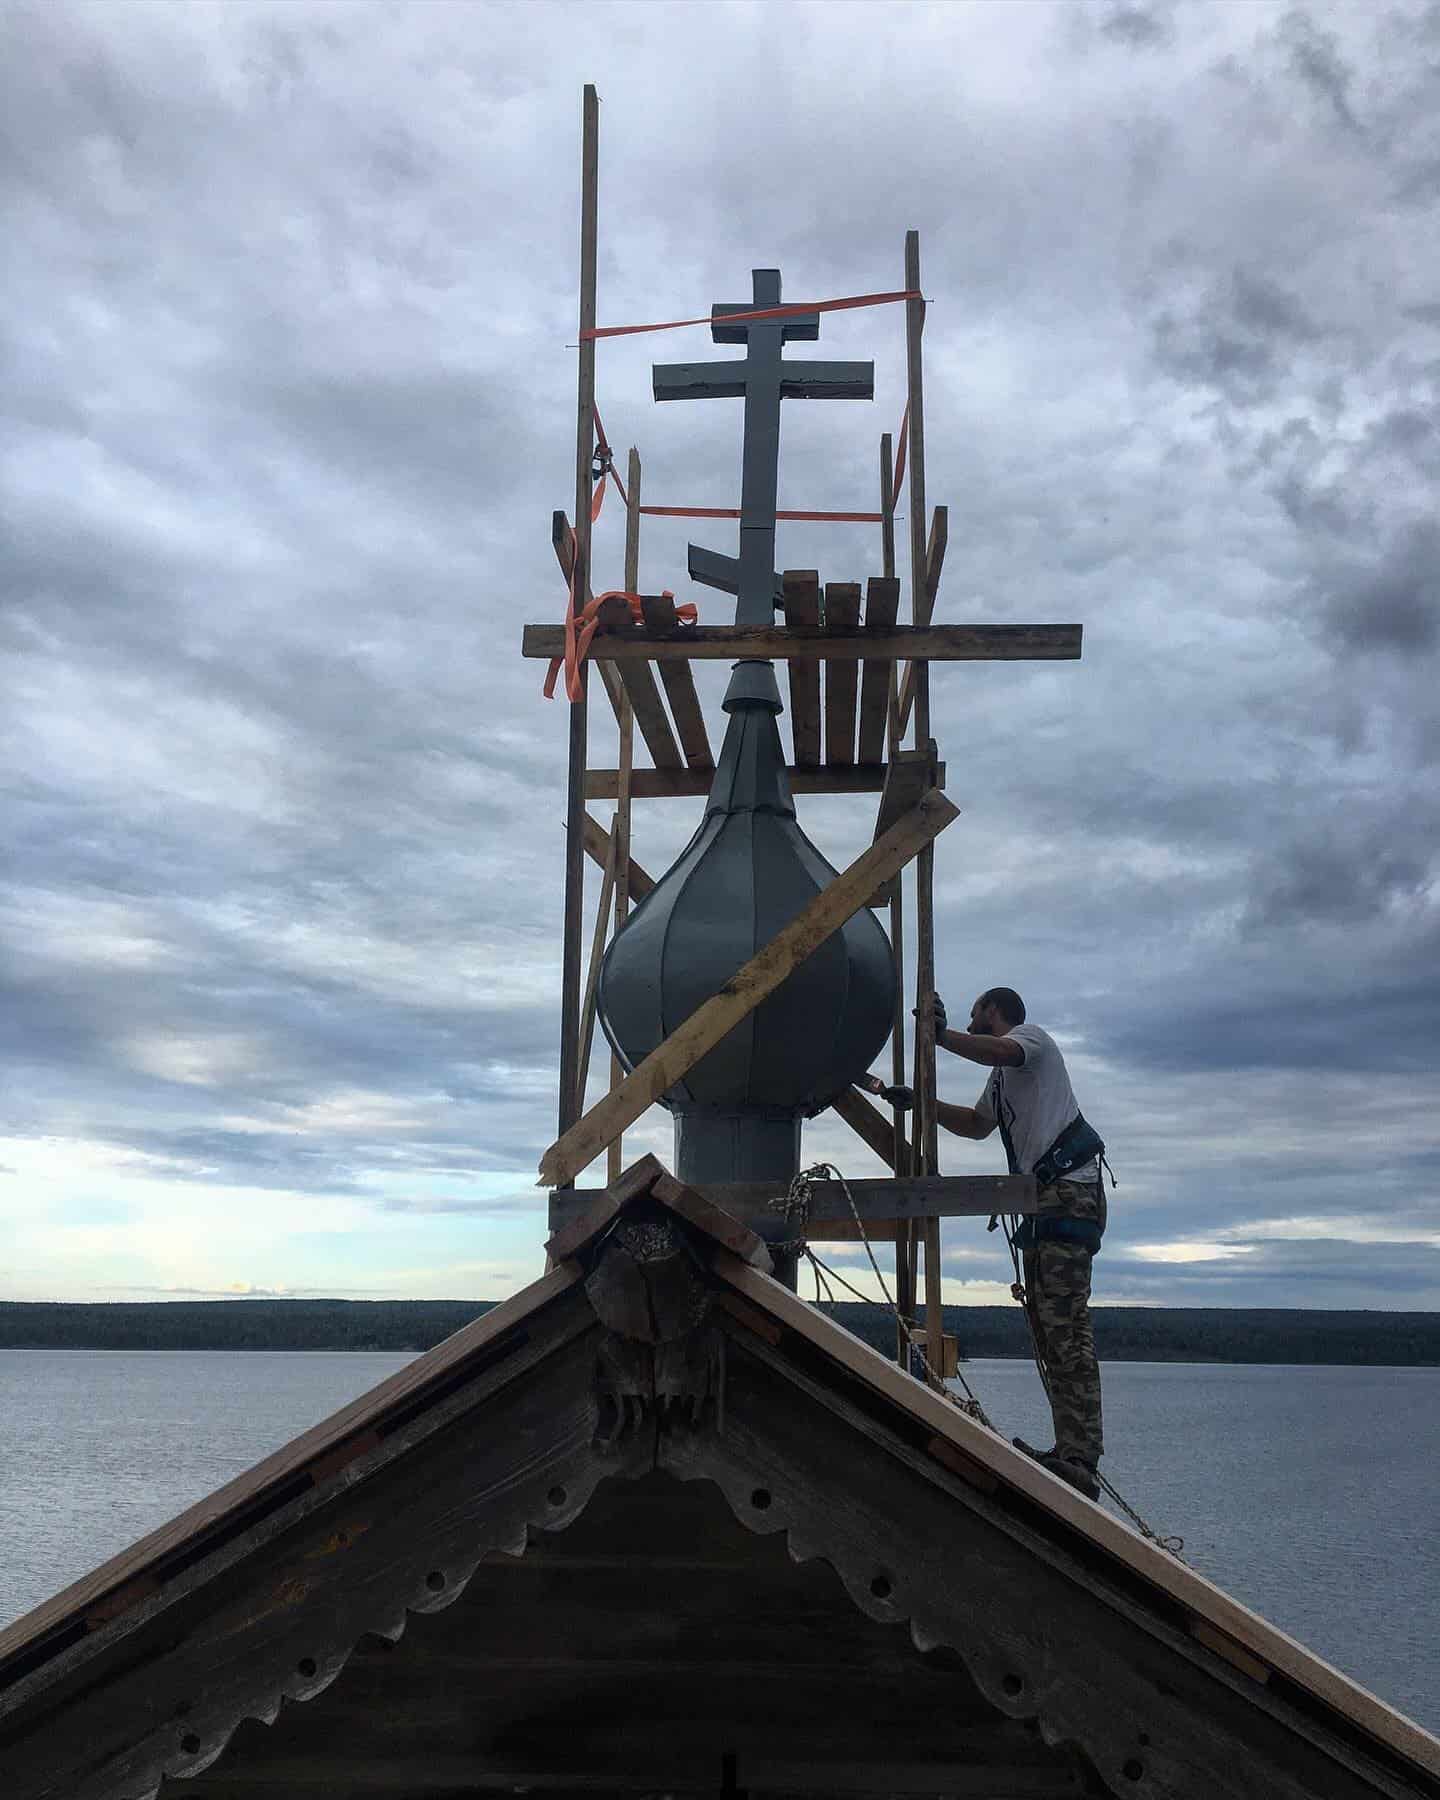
[(1155, 1714)]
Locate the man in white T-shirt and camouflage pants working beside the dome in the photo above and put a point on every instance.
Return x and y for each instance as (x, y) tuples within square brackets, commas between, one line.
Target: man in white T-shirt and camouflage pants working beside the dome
[(1030, 1101)]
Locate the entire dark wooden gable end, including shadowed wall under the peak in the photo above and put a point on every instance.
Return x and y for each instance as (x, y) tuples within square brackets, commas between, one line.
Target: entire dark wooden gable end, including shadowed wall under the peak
[(656, 1525)]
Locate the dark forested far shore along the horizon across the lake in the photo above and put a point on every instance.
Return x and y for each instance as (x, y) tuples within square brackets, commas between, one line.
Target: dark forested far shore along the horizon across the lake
[(1124, 1335)]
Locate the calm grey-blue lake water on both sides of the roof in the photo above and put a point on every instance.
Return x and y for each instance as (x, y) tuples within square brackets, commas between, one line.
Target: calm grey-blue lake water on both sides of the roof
[(1306, 1493)]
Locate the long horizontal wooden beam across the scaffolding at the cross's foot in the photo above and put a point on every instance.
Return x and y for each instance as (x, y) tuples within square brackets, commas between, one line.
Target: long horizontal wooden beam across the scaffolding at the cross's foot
[(728, 643)]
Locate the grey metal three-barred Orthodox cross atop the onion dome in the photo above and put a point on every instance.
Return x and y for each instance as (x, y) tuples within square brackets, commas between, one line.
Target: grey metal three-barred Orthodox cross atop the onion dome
[(764, 379)]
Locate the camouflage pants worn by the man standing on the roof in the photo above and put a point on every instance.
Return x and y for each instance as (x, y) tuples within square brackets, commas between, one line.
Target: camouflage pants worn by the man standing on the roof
[(1057, 1282)]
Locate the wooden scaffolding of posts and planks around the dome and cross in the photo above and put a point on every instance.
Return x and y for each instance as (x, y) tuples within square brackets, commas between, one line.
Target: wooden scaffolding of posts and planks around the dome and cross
[(859, 710)]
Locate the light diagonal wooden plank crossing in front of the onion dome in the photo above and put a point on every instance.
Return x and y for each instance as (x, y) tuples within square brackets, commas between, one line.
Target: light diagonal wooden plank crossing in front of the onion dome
[(746, 989)]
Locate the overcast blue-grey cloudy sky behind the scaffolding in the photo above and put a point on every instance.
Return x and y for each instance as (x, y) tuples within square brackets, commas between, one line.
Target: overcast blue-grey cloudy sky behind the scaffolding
[(289, 399)]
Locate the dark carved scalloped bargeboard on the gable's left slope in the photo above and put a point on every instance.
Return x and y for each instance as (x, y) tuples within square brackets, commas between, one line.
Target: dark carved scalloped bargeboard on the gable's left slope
[(163, 1691)]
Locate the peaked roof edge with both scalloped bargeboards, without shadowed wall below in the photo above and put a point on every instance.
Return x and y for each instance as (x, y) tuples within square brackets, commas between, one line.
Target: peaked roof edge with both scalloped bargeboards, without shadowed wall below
[(1056, 1610)]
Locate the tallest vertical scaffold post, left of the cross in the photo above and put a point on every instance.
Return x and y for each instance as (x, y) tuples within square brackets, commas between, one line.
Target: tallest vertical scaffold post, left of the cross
[(584, 456)]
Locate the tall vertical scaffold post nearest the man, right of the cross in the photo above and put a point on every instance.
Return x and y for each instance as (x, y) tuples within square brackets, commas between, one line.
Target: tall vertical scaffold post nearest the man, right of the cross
[(926, 1131)]
